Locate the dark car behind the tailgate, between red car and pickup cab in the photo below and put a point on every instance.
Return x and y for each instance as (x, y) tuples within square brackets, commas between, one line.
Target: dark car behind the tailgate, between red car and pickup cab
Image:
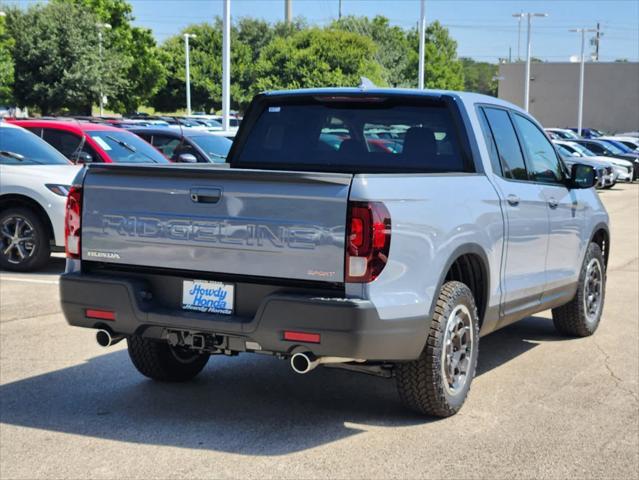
[(186, 145)]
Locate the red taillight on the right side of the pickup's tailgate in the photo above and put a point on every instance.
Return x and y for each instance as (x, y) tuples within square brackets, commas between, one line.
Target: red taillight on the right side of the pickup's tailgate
[(367, 241)]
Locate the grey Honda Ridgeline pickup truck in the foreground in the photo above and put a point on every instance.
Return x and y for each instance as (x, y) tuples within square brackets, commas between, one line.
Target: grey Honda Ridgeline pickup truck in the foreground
[(381, 231)]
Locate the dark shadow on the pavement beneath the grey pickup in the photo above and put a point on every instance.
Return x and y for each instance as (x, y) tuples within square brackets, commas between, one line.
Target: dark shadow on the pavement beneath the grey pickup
[(250, 405)]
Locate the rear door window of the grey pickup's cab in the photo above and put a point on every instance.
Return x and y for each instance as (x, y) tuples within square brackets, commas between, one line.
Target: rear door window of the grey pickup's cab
[(511, 157)]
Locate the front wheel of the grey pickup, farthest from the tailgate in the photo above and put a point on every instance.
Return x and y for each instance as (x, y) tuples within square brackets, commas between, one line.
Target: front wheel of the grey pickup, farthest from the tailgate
[(577, 318)]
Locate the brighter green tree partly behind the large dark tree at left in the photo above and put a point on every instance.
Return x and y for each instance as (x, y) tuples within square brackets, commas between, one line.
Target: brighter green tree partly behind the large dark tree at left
[(141, 63)]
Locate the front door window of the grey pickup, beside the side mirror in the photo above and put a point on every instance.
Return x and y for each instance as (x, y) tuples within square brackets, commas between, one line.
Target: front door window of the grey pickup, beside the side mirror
[(541, 157)]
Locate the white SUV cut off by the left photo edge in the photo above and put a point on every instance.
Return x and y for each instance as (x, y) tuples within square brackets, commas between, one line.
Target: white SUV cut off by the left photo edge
[(34, 181)]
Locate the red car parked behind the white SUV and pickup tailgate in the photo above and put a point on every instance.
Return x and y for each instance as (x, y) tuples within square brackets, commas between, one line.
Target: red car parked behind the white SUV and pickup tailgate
[(84, 142)]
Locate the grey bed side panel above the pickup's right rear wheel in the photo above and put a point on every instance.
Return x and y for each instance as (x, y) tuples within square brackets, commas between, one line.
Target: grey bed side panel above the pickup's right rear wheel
[(432, 217)]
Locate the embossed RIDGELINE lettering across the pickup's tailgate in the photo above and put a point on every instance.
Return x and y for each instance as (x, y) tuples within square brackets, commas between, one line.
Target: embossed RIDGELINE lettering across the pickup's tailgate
[(206, 231)]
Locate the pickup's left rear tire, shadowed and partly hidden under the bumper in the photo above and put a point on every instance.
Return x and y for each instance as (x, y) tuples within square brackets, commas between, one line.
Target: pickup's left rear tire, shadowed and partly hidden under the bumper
[(160, 361)]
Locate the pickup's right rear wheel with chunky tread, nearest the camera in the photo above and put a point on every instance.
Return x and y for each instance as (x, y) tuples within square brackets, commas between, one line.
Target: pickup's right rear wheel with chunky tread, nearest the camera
[(438, 382)]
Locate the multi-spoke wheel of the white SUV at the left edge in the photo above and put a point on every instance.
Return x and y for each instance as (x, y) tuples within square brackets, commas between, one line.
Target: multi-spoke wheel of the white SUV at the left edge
[(36, 251)]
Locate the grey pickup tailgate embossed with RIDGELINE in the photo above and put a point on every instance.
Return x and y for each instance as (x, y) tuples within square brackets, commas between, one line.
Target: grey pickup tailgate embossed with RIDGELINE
[(248, 222)]
